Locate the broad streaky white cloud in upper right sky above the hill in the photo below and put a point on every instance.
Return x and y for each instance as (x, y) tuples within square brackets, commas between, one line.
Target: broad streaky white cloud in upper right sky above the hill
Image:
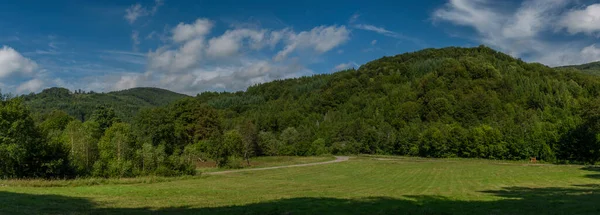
[(521, 32)]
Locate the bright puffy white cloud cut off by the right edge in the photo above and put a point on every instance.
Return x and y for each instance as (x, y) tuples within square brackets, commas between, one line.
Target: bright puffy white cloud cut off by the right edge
[(582, 21)]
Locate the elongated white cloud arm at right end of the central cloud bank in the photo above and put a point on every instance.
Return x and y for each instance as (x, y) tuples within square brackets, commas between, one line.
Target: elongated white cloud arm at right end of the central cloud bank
[(320, 39)]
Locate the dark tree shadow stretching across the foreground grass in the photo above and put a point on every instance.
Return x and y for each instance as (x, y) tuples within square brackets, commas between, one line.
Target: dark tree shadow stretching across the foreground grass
[(580, 199)]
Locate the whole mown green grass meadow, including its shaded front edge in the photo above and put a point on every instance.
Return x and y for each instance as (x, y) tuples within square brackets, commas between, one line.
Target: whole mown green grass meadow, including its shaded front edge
[(363, 185)]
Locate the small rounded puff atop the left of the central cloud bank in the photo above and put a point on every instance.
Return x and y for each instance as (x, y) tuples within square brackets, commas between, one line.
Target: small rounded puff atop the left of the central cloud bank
[(183, 32)]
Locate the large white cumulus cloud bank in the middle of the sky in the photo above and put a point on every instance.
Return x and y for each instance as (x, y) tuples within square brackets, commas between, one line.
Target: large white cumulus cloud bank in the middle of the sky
[(193, 62)]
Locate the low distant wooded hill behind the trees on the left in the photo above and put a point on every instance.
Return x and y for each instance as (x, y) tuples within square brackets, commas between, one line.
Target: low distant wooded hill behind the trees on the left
[(81, 104)]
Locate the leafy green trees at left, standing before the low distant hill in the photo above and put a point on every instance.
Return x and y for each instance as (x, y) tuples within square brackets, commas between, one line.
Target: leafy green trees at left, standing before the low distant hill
[(61, 146)]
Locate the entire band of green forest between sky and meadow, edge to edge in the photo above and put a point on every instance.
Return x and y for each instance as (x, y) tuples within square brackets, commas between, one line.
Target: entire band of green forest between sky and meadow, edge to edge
[(450, 102)]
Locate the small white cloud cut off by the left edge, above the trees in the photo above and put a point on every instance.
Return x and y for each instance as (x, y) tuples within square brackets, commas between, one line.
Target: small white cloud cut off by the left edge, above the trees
[(12, 62)]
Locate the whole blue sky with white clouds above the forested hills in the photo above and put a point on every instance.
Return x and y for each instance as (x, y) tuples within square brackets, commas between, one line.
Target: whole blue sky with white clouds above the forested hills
[(225, 45)]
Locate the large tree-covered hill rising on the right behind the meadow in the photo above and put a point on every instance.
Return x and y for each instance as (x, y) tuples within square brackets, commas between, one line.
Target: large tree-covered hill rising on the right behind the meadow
[(450, 102)]
